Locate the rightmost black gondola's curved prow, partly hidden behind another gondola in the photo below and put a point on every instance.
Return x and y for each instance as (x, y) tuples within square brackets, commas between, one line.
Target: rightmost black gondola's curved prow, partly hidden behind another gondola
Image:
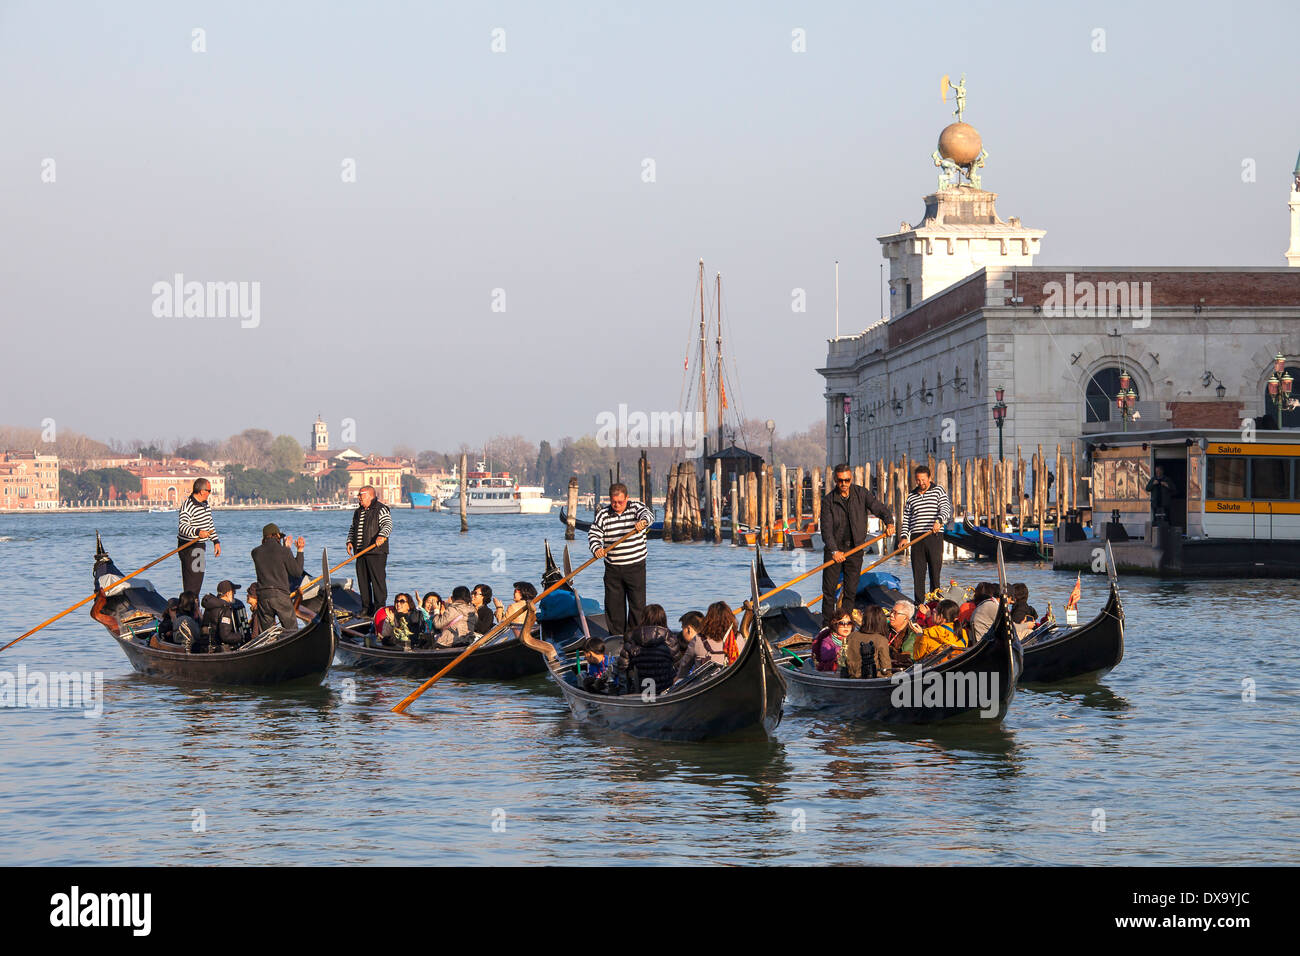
[(1056, 652)]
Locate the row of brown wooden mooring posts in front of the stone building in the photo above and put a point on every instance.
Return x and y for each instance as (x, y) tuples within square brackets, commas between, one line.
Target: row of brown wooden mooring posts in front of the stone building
[(773, 503)]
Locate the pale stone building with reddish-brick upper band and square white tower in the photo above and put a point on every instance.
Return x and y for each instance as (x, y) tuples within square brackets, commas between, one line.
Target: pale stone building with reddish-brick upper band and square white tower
[(972, 313)]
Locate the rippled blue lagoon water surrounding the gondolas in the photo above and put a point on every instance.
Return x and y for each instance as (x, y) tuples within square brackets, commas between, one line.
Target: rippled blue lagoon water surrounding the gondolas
[(1185, 771)]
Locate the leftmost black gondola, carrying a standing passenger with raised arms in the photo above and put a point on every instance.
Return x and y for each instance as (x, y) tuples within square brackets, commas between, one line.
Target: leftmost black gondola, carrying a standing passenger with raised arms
[(132, 615)]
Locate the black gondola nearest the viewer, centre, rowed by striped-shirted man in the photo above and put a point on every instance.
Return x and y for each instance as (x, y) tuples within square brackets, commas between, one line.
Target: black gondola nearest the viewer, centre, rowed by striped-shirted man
[(744, 697)]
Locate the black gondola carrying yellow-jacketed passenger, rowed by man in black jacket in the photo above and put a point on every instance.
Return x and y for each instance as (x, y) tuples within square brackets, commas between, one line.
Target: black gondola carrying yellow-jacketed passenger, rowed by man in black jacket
[(978, 682)]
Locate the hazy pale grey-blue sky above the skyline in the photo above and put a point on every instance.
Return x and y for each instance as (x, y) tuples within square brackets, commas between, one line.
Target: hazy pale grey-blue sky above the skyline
[(523, 171)]
